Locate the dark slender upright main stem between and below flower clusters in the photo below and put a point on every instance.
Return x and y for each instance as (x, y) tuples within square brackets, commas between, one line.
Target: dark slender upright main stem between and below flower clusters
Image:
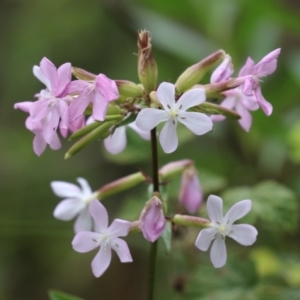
[(153, 249)]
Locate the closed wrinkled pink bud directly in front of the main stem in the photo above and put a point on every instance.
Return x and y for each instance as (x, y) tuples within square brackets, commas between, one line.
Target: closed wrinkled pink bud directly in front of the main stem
[(152, 219)]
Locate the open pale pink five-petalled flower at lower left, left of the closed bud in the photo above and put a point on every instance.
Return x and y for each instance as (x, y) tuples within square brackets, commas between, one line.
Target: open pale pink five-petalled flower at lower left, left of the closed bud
[(105, 237)]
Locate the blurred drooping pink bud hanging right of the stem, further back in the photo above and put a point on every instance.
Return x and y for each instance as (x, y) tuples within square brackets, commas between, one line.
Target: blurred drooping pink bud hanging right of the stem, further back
[(190, 195)]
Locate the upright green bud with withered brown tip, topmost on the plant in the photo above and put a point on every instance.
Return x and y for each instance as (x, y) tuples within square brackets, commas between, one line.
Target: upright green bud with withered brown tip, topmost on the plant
[(147, 69)]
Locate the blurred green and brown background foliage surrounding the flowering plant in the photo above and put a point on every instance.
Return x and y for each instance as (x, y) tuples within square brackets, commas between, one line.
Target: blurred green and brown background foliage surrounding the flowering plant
[(263, 165)]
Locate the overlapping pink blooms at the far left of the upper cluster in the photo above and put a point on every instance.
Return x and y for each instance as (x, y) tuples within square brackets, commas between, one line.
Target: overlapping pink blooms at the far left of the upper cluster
[(51, 110)]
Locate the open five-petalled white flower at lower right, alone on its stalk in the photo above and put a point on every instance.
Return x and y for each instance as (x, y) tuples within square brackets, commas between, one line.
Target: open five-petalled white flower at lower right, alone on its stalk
[(222, 227)]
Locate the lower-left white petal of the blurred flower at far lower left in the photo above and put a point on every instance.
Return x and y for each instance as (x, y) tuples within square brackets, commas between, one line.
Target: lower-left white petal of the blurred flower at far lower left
[(68, 209)]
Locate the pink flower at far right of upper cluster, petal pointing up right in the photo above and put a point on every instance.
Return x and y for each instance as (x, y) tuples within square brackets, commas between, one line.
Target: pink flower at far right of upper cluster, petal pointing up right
[(265, 67)]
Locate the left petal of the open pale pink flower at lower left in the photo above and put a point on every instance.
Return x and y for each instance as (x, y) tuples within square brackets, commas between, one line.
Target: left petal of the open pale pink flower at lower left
[(85, 241)]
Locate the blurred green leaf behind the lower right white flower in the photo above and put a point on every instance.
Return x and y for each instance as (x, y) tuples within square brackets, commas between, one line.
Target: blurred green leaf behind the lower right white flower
[(272, 203)]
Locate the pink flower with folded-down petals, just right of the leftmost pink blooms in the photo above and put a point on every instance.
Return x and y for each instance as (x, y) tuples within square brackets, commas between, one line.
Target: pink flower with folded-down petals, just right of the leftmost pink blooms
[(100, 92)]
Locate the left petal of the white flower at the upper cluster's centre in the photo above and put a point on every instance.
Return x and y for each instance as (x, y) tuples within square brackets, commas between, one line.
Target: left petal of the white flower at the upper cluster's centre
[(148, 118)]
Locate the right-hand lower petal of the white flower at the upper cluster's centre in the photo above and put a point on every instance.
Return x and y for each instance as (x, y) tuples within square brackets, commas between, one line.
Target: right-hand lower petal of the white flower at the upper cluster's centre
[(198, 123)]
